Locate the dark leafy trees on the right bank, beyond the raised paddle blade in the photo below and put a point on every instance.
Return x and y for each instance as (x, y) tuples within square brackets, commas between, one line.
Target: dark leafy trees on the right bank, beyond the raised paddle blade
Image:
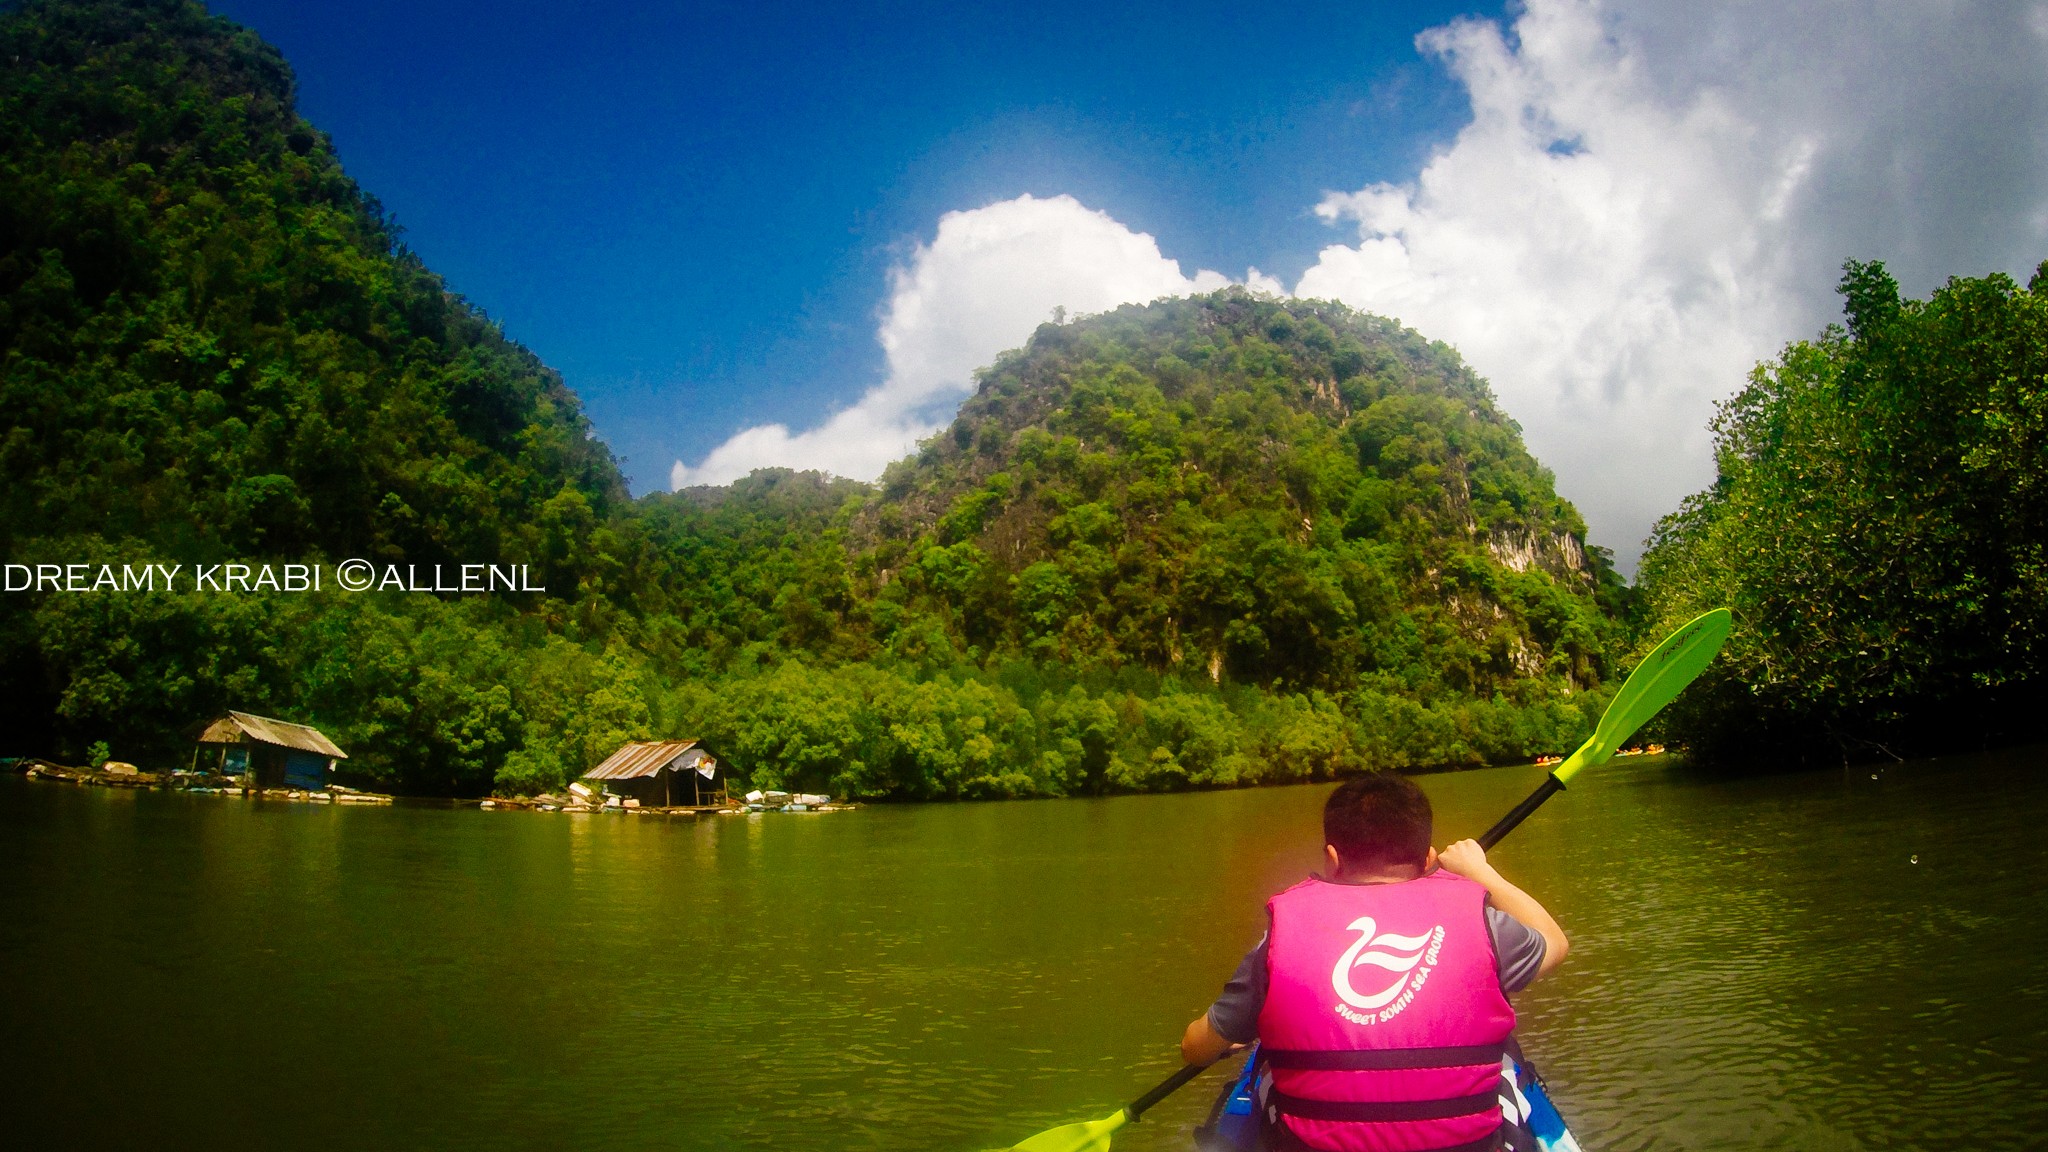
[(1879, 526)]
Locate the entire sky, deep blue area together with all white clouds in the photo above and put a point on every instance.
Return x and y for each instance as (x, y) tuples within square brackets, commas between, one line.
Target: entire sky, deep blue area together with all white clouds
[(787, 237)]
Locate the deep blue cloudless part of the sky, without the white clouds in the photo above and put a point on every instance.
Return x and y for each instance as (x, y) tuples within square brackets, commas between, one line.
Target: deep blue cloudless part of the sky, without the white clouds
[(691, 210)]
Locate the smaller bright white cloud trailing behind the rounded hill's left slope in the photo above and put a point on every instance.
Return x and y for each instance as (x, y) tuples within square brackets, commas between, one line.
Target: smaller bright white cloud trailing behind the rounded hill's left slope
[(984, 284)]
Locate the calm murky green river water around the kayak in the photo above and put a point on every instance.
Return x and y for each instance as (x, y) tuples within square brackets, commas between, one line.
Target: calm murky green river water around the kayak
[(1838, 960)]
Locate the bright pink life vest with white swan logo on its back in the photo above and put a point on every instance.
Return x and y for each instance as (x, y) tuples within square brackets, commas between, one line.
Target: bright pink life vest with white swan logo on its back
[(1385, 1020)]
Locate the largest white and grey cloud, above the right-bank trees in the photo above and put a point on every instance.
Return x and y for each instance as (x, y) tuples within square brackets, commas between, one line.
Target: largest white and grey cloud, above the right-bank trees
[(1656, 196)]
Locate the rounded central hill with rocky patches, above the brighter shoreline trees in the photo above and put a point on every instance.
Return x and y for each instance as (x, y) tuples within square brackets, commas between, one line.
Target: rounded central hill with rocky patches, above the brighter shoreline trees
[(1283, 495)]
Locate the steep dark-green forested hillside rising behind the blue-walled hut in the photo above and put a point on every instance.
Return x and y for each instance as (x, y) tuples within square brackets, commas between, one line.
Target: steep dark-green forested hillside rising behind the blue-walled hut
[(214, 349)]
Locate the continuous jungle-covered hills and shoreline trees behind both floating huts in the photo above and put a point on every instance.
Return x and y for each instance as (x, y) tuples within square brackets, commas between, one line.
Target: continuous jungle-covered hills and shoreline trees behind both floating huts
[(1205, 542)]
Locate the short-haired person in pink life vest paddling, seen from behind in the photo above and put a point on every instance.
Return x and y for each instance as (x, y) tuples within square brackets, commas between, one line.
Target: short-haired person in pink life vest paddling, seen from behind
[(1379, 993)]
